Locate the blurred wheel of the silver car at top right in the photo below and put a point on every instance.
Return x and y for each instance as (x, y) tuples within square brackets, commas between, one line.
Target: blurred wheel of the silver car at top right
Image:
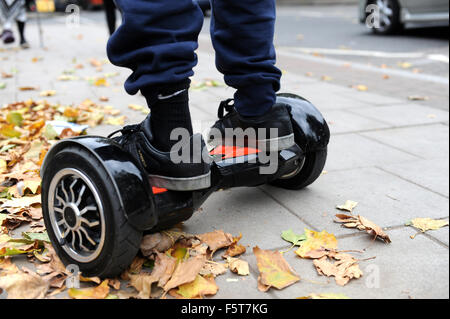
[(389, 11)]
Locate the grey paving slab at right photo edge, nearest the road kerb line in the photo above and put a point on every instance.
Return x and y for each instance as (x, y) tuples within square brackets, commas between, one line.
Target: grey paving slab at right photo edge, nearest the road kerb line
[(404, 115)]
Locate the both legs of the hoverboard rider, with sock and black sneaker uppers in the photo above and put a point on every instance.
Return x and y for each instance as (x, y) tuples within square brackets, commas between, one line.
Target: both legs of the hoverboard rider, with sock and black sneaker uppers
[(157, 41)]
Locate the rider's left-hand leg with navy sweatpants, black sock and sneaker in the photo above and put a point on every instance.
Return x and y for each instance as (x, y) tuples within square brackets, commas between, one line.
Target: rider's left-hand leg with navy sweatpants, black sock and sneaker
[(157, 40)]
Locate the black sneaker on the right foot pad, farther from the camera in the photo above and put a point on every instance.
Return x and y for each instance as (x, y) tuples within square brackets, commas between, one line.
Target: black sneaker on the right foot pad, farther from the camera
[(277, 118)]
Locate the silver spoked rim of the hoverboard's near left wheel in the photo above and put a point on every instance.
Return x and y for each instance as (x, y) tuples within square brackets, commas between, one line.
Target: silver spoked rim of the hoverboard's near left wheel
[(76, 215)]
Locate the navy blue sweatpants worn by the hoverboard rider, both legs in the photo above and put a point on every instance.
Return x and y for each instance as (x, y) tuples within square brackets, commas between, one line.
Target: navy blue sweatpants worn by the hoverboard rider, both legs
[(158, 38)]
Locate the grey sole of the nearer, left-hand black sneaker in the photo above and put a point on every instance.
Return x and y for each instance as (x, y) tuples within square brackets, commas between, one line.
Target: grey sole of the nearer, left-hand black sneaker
[(182, 184)]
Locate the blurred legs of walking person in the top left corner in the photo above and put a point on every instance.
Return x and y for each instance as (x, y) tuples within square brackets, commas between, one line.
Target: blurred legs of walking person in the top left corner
[(11, 10)]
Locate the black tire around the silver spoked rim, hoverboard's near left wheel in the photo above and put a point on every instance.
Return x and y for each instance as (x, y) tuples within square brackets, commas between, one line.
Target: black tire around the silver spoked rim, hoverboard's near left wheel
[(122, 241)]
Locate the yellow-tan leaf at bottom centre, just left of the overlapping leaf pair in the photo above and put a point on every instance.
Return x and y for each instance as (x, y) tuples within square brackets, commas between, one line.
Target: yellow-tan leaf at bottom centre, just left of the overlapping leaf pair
[(274, 270)]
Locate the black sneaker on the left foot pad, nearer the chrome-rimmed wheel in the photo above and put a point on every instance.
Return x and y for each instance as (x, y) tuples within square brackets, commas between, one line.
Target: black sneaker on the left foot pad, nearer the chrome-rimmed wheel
[(193, 173)]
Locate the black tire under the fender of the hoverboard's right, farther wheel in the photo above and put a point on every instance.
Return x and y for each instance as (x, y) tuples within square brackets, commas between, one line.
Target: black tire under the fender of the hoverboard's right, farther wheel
[(310, 172)]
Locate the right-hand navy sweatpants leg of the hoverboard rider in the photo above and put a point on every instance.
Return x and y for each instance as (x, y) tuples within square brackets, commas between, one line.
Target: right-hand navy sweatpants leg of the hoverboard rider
[(242, 32)]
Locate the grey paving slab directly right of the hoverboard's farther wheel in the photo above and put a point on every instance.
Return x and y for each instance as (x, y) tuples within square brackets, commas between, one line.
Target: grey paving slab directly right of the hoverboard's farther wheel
[(352, 151)]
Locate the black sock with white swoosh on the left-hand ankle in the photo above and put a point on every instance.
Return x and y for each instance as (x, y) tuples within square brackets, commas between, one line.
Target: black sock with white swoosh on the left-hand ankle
[(169, 111)]
